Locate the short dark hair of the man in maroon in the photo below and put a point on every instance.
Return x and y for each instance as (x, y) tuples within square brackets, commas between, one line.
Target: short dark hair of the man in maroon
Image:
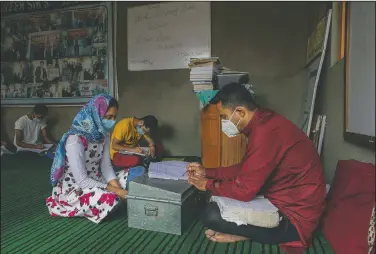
[(234, 95)]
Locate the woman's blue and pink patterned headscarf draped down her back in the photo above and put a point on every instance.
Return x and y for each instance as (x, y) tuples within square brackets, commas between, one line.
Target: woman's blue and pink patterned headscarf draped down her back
[(88, 124)]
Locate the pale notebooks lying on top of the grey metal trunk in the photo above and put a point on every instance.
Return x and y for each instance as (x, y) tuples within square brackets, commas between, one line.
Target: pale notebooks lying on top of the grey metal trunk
[(172, 170)]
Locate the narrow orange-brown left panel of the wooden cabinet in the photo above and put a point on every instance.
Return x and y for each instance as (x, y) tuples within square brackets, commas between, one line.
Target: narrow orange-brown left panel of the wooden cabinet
[(210, 136)]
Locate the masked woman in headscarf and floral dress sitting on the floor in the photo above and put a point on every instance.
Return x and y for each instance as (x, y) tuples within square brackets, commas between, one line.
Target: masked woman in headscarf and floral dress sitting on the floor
[(84, 182)]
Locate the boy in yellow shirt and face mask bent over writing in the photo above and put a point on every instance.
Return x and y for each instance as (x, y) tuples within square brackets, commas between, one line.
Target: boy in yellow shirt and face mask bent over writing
[(126, 136)]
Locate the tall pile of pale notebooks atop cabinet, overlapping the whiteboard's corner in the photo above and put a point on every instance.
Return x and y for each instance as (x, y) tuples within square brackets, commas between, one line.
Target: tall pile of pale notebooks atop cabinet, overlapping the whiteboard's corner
[(203, 73)]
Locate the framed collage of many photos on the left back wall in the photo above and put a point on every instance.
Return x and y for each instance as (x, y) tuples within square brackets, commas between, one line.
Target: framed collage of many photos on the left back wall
[(54, 55)]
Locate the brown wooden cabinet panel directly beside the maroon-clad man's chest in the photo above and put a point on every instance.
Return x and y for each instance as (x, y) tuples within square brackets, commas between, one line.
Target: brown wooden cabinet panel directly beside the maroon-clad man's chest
[(233, 149)]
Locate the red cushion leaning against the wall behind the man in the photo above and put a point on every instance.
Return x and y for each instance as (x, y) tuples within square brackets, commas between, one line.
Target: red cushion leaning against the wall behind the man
[(350, 202)]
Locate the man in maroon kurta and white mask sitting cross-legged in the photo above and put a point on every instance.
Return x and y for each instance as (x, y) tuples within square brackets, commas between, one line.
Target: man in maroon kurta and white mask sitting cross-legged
[(280, 163)]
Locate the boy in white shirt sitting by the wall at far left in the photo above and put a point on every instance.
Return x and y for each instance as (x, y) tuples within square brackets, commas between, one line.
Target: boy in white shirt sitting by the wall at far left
[(28, 128)]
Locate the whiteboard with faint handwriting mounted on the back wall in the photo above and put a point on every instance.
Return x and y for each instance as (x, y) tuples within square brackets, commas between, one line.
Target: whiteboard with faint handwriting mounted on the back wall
[(166, 35)]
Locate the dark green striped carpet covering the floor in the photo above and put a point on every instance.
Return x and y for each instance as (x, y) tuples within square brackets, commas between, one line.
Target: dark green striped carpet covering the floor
[(26, 226)]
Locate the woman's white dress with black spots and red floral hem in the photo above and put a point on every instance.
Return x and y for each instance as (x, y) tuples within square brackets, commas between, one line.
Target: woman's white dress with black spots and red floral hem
[(94, 203)]
